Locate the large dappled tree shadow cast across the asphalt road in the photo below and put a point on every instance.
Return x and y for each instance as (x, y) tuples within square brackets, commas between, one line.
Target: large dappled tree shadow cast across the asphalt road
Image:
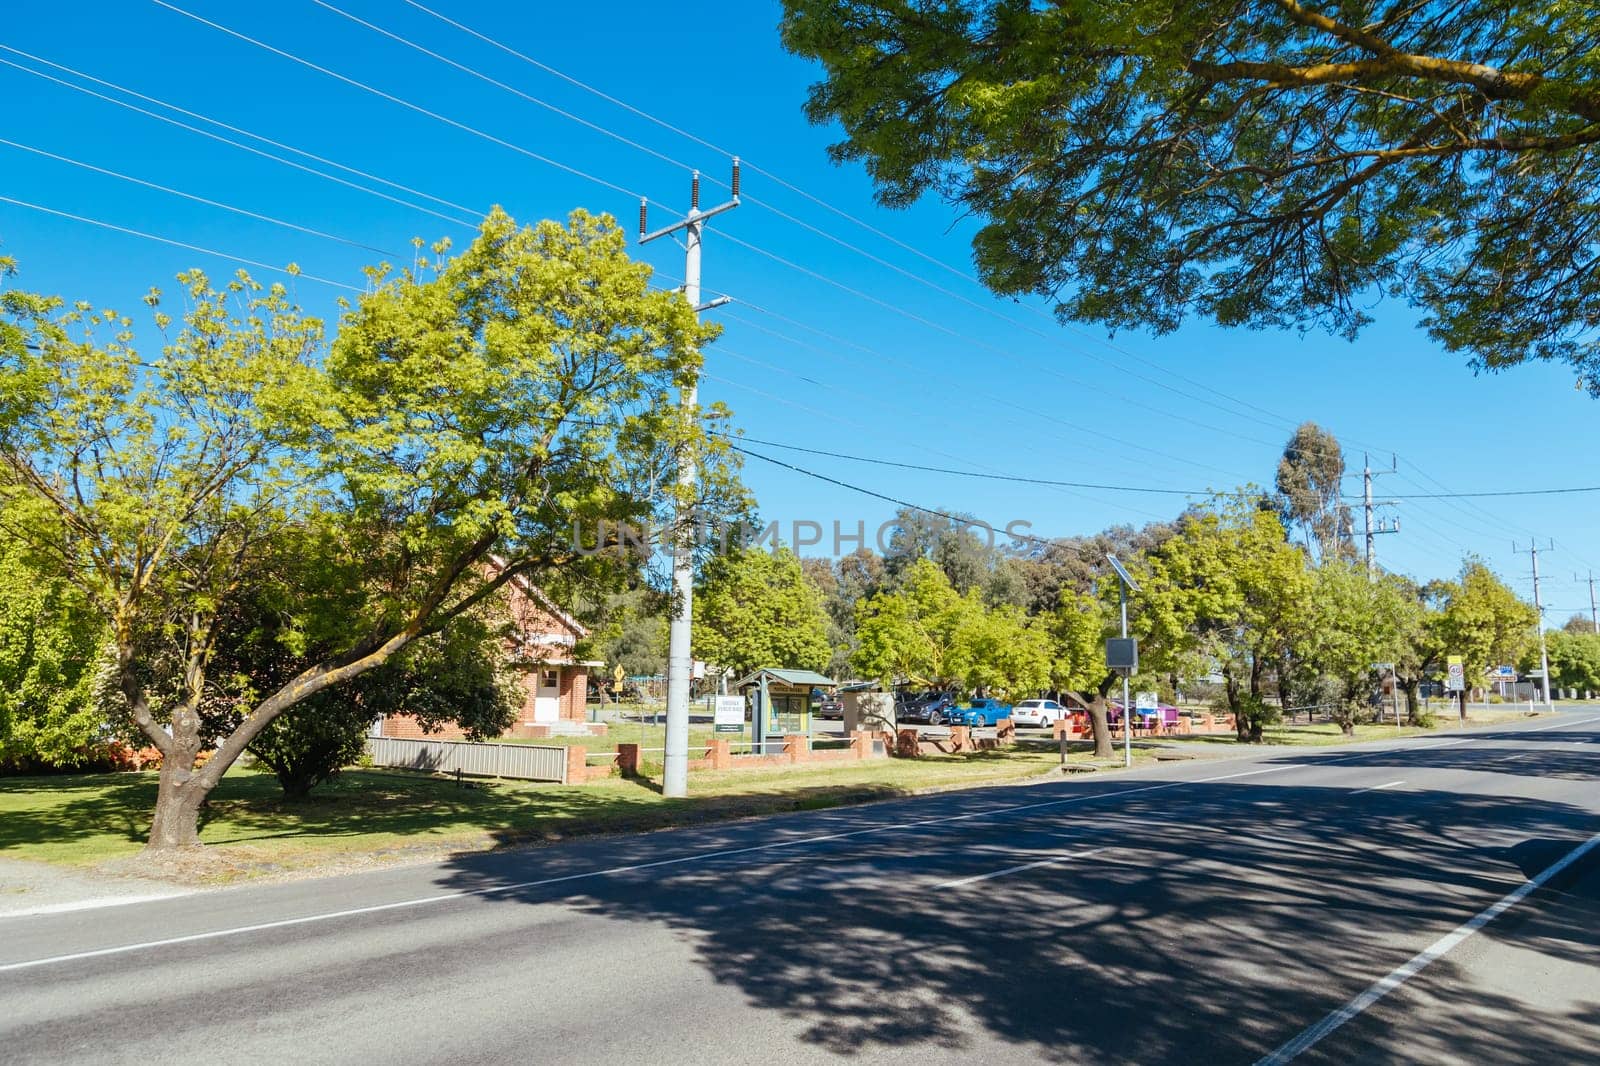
[(1210, 924)]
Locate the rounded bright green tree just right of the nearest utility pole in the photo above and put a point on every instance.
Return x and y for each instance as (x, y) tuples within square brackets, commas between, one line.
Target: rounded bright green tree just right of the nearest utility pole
[(758, 609)]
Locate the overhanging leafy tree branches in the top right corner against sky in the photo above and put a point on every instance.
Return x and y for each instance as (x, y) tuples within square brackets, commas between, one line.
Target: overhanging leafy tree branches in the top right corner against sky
[(1258, 162)]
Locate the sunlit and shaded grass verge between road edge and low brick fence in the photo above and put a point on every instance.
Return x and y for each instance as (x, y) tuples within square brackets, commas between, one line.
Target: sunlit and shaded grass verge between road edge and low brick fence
[(382, 816)]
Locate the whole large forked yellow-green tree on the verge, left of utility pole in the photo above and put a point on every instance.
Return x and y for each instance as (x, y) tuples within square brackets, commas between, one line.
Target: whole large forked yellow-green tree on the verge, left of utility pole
[(503, 406)]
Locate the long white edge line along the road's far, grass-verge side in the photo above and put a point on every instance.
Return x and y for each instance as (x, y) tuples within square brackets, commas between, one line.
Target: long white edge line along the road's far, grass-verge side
[(310, 920)]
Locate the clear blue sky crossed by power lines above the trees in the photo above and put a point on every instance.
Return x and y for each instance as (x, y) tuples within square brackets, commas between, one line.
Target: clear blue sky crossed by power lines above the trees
[(951, 379)]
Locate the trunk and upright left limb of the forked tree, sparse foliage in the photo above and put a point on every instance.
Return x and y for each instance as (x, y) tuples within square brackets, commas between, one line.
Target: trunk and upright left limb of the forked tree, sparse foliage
[(153, 481)]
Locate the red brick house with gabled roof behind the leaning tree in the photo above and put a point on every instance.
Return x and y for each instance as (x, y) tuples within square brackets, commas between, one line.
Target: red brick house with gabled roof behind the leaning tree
[(542, 649)]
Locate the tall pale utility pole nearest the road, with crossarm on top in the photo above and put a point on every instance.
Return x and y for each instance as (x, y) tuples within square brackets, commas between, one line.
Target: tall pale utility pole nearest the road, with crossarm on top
[(681, 659)]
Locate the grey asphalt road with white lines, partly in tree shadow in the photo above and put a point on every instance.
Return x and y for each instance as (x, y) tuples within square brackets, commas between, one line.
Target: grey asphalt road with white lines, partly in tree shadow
[(1196, 913)]
